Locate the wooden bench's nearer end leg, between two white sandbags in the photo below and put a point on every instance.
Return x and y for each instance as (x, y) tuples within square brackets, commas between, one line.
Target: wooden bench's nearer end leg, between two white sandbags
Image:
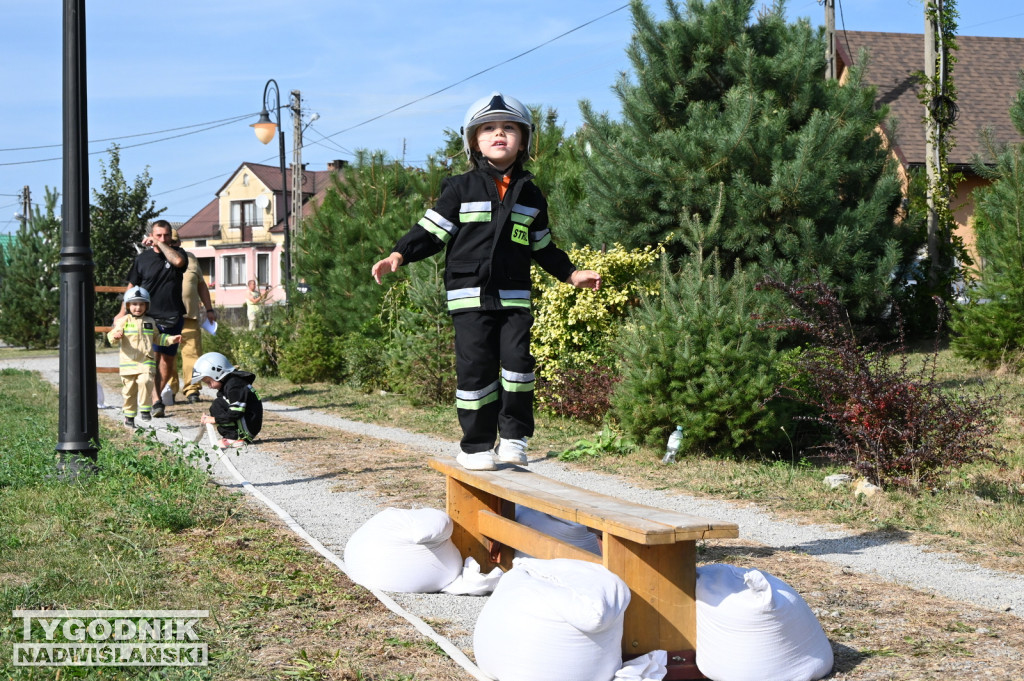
[(663, 581)]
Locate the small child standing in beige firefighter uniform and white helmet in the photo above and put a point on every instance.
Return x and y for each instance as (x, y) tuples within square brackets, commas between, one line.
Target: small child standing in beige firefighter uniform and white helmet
[(137, 334)]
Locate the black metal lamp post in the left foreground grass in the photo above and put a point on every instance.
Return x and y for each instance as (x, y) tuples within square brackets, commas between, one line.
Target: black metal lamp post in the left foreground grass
[(78, 420)]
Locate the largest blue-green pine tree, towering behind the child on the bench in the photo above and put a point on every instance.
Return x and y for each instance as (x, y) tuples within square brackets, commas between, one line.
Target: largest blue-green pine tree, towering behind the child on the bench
[(715, 100)]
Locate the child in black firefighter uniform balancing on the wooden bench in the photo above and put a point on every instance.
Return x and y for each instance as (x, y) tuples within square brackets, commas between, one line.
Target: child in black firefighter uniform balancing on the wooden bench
[(492, 222)]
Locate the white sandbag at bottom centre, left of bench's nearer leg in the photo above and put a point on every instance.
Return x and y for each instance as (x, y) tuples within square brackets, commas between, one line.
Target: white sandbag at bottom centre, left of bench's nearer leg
[(552, 621)]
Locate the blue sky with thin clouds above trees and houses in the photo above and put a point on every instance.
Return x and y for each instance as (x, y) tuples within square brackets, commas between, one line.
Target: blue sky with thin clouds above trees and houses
[(179, 84)]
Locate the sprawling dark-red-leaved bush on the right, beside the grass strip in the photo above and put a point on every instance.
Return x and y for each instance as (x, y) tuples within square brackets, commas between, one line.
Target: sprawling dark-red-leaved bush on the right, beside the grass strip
[(897, 428)]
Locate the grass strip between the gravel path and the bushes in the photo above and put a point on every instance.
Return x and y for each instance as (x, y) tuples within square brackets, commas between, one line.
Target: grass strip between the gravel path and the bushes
[(977, 513)]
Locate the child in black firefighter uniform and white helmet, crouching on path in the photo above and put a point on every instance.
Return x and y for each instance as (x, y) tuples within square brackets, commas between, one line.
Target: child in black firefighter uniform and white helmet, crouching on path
[(238, 411)]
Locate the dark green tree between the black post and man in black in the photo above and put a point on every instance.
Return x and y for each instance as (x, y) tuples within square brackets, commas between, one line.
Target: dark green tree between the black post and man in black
[(119, 216)]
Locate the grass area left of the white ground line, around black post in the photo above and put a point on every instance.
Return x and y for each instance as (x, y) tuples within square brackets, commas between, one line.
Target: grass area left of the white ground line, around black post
[(151, 532)]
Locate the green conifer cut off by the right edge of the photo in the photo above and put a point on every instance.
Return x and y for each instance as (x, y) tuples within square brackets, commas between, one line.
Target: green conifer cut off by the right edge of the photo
[(989, 327)]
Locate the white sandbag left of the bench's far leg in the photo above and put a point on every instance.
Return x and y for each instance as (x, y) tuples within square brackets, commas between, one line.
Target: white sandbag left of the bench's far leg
[(405, 550)]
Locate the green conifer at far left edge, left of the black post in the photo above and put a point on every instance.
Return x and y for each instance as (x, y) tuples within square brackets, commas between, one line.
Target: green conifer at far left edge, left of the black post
[(30, 281)]
